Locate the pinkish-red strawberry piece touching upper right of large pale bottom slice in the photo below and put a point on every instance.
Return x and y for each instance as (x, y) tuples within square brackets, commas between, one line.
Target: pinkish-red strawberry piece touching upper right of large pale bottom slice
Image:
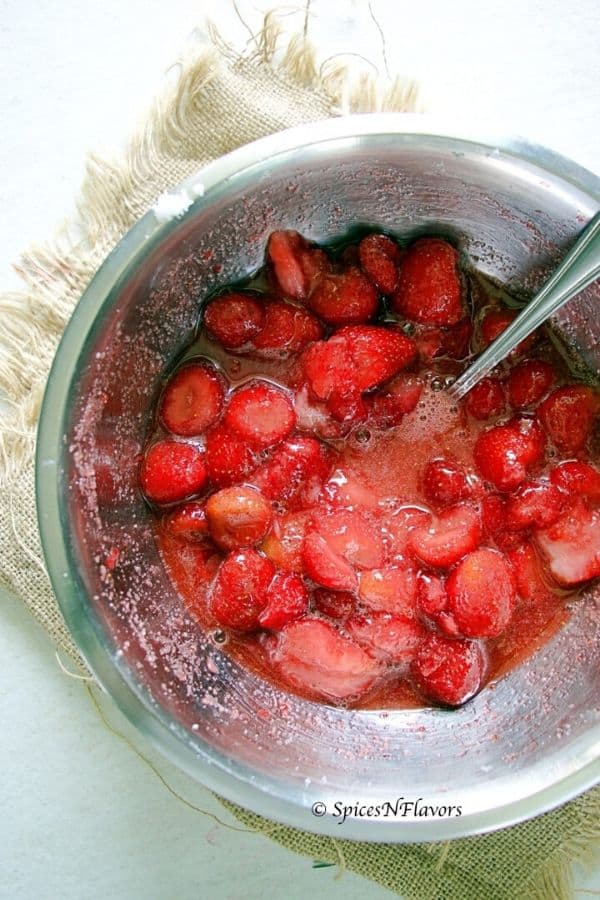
[(390, 638)]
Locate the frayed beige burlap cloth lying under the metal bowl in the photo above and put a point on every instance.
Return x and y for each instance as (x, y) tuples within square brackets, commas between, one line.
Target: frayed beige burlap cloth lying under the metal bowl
[(219, 102)]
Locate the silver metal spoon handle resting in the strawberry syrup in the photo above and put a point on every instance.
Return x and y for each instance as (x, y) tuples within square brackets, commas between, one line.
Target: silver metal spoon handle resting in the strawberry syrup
[(579, 268)]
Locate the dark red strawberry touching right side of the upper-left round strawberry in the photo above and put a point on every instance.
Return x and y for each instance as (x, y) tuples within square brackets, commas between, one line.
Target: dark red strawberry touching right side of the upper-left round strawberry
[(286, 329)]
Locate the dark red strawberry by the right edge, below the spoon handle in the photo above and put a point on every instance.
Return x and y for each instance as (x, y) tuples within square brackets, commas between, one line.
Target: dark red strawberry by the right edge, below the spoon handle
[(568, 416)]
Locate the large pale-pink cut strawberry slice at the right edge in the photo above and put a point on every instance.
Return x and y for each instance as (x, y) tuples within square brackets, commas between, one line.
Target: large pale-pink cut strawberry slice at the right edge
[(571, 547)]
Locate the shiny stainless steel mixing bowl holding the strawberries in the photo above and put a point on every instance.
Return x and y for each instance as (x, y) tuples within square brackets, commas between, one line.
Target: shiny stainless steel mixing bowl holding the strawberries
[(526, 743)]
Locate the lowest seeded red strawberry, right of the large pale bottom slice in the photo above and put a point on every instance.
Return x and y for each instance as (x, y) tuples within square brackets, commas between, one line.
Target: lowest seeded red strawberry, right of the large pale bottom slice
[(447, 671)]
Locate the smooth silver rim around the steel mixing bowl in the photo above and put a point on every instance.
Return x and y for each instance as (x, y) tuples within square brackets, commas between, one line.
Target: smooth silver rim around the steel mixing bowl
[(210, 767)]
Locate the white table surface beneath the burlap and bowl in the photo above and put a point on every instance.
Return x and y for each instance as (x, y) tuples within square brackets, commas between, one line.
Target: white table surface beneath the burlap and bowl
[(82, 816)]
